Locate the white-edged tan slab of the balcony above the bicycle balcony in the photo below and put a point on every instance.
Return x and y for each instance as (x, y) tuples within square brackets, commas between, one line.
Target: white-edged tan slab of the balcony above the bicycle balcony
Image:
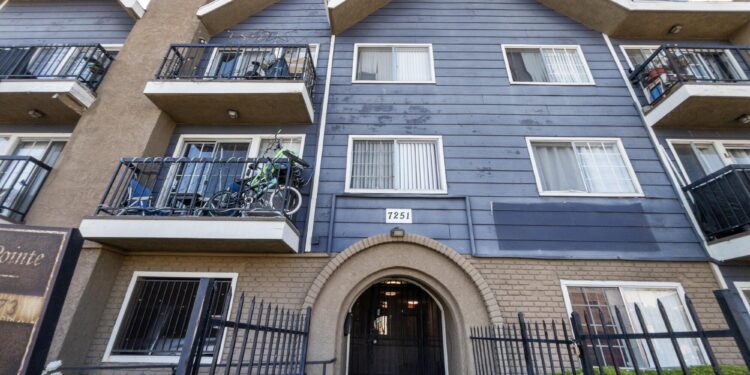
[(258, 102)]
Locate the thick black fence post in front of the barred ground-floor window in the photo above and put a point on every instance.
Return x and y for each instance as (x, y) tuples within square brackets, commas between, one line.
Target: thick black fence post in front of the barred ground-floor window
[(196, 327)]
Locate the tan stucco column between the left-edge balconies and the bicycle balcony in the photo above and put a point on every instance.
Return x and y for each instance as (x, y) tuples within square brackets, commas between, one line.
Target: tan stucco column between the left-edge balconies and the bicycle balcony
[(122, 121)]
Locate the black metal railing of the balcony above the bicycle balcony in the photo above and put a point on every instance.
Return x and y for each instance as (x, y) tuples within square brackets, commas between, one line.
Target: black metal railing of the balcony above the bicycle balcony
[(239, 62)]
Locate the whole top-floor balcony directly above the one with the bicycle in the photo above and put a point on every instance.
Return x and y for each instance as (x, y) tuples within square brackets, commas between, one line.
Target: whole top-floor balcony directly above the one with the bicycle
[(231, 84)]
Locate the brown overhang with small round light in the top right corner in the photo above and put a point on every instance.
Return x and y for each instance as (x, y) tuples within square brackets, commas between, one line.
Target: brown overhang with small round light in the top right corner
[(639, 19)]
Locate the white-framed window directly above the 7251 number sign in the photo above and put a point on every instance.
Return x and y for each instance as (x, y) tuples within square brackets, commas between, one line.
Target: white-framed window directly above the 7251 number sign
[(405, 165)]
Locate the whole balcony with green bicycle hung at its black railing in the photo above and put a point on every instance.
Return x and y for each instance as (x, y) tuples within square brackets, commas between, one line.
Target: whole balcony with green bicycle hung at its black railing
[(180, 204)]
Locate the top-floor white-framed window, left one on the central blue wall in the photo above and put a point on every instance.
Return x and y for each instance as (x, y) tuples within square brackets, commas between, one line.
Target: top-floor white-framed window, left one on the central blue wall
[(403, 63)]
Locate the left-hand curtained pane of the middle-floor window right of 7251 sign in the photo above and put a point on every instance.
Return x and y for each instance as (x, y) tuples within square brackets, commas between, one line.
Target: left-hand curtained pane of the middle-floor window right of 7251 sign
[(557, 167)]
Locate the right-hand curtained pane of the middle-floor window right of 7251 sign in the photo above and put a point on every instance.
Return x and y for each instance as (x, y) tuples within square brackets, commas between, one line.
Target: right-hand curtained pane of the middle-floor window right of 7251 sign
[(603, 168)]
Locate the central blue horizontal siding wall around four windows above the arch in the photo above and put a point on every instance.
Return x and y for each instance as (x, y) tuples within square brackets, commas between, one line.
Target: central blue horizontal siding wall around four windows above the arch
[(484, 121)]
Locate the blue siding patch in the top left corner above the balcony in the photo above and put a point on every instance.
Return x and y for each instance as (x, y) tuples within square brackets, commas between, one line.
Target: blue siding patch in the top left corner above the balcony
[(59, 22)]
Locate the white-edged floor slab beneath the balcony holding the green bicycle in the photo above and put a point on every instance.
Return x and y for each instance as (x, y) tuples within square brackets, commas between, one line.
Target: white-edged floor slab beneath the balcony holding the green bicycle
[(193, 234)]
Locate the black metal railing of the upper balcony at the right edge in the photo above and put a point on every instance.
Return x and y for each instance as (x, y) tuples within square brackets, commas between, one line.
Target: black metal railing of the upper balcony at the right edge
[(670, 66)]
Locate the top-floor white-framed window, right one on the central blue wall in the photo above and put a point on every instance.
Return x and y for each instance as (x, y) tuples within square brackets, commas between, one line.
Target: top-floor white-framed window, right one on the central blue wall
[(547, 65)]
